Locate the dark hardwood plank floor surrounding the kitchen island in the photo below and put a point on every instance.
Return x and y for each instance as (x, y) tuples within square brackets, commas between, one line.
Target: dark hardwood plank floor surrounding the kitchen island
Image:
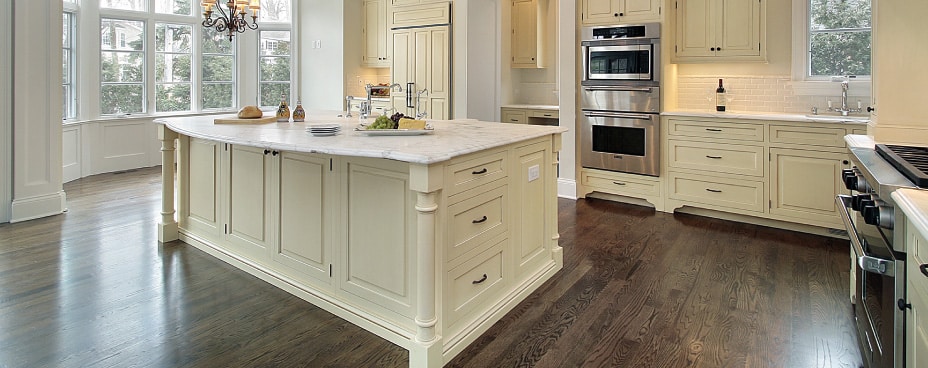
[(93, 288)]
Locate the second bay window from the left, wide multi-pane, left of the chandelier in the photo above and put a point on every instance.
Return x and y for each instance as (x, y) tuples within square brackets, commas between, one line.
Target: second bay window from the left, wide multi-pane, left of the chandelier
[(122, 69)]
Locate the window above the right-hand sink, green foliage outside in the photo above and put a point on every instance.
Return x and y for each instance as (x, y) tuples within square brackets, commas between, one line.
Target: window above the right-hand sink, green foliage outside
[(836, 41)]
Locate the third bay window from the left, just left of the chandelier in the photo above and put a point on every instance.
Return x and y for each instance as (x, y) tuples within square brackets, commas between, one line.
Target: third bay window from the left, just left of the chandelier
[(172, 67)]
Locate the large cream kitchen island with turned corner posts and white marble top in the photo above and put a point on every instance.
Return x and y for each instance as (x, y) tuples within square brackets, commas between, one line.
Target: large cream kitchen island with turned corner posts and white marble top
[(424, 240)]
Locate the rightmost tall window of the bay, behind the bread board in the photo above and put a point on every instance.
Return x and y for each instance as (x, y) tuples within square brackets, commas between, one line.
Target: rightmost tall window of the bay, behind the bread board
[(275, 67)]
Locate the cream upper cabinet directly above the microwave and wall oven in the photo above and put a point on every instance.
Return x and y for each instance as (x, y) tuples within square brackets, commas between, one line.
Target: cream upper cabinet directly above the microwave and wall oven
[(603, 12)]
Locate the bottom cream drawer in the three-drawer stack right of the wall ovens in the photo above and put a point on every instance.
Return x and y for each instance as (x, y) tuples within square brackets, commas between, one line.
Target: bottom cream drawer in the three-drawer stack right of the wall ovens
[(717, 192)]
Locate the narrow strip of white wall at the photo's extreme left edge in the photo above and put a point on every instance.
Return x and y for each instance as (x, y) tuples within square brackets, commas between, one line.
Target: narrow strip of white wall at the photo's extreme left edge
[(6, 123)]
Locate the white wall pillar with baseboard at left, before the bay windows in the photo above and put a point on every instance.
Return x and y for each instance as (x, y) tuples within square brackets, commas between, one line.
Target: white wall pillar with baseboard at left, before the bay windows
[(37, 190)]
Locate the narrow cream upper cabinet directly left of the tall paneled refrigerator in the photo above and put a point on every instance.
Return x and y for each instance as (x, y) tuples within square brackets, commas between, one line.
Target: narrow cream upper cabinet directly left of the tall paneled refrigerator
[(375, 35)]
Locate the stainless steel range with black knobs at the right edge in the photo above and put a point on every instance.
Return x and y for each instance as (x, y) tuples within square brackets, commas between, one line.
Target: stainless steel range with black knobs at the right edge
[(876, 229)]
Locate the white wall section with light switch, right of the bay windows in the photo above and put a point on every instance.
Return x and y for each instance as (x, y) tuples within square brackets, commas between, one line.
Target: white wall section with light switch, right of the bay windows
[(322, 70)]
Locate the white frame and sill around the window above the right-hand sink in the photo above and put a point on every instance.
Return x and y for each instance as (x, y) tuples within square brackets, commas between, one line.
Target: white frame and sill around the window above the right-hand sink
[(810, 85)]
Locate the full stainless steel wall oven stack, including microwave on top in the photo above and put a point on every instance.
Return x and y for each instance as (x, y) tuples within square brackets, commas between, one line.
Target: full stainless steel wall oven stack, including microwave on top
[(620, 98)]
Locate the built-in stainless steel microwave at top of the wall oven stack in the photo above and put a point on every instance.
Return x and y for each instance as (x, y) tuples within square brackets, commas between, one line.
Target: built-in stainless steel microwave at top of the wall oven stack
[(620, 54)]
